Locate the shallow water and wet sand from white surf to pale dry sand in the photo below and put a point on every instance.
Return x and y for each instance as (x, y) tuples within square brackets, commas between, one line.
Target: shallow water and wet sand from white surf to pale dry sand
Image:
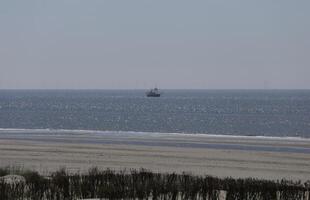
[(244, 143)]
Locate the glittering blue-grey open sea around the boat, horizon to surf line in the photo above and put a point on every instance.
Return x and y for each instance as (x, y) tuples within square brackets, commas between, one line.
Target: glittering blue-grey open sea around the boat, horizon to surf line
[(278, 113)]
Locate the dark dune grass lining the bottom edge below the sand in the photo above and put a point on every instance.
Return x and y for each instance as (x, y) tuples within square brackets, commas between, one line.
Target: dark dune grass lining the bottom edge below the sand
[(144, 184)]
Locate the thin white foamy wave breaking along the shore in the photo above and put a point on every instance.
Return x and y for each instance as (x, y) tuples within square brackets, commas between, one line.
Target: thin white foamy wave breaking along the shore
[(140, 133)]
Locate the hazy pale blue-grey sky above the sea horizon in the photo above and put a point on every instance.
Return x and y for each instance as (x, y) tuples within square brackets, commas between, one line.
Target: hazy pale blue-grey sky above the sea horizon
[(137, 44)]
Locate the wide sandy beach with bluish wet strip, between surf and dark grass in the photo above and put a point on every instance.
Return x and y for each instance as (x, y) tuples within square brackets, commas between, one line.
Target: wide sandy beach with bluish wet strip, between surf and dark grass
[(258, 157)]
